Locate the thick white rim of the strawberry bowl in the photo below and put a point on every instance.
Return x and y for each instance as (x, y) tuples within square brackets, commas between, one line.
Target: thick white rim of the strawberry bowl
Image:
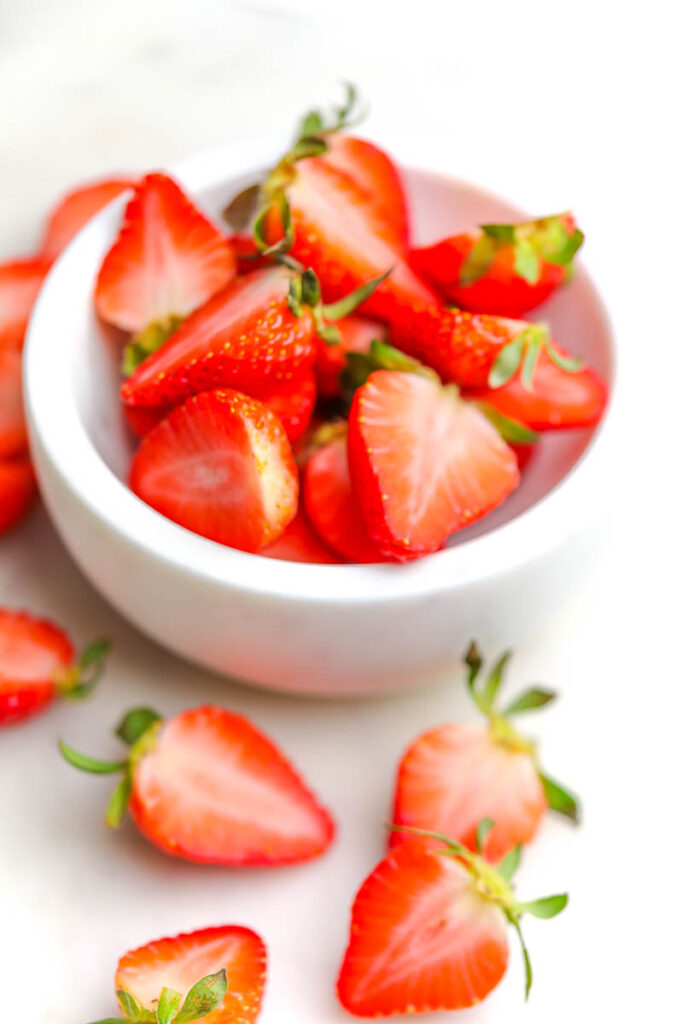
[(58, 434)]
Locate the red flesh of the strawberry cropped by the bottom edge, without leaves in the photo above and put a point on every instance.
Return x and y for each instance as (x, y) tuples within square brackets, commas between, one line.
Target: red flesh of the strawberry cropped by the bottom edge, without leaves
[(181, 962)]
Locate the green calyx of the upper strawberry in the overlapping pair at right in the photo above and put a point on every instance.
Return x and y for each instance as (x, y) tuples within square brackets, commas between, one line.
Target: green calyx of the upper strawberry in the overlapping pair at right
[(485, 694)]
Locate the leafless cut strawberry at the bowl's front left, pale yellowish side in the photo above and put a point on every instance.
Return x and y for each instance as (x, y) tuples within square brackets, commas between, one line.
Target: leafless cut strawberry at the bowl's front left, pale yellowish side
[(222, 466)]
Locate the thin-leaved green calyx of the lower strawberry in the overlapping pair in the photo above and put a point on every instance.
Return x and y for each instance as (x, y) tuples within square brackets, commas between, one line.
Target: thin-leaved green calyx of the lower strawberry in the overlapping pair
[(494, 884)]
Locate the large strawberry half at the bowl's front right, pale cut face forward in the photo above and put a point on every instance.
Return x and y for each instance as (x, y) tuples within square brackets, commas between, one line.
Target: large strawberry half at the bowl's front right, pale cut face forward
[(424, 463)]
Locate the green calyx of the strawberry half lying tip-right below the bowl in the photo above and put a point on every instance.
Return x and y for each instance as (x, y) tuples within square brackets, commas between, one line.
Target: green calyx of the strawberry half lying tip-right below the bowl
[(140, 731)]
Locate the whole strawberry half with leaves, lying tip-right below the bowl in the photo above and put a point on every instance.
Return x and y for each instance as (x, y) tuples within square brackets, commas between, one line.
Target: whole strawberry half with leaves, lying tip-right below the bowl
[(261, 813)]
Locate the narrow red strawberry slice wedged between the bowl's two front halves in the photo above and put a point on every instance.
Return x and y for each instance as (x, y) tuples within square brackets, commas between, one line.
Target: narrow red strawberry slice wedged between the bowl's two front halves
[(331, 503)]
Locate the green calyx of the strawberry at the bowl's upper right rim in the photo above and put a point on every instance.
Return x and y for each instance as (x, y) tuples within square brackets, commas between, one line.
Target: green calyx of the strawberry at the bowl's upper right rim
[(548, 240)]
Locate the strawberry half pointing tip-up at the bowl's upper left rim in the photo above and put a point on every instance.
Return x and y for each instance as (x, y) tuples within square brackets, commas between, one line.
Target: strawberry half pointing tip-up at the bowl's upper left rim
[(167, 261)]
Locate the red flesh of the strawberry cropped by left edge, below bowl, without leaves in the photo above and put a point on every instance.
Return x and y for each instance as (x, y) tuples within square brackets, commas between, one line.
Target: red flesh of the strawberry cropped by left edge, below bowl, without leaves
[(33, 652)]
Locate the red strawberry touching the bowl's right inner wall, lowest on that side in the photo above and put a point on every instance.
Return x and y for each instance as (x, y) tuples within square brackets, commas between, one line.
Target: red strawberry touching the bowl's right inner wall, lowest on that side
[(557, 399)]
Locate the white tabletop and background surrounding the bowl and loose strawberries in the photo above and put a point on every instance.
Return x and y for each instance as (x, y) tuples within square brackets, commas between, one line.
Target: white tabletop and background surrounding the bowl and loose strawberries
[(554, 106)]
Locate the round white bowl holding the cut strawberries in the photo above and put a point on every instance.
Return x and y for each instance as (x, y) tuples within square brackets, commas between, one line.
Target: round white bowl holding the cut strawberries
[(308, 629)]
